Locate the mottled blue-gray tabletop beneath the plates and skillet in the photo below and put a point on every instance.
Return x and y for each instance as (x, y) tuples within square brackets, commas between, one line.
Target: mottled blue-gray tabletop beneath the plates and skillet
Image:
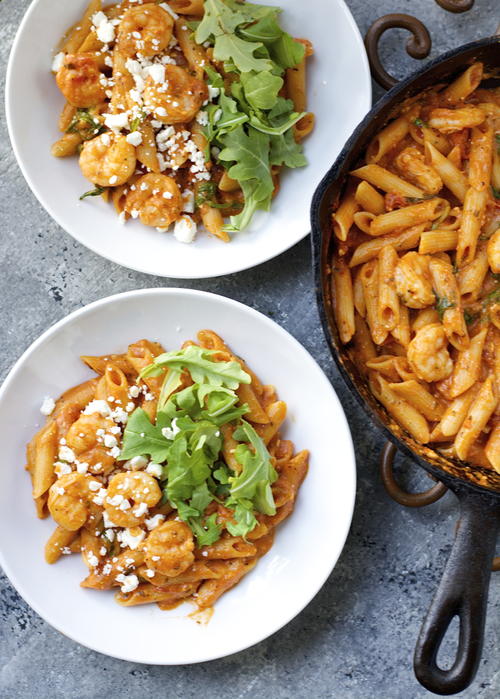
[(356, 638)]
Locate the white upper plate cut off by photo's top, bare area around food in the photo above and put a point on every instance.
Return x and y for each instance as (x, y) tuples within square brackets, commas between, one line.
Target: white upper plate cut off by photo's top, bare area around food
[(339, 95)]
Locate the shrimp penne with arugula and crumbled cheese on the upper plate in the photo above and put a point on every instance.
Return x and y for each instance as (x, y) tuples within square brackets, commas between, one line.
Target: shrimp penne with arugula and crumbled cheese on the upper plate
[(175, 120)]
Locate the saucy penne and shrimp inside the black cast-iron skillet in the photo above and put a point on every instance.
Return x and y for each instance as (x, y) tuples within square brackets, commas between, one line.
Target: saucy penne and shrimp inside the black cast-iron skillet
[(415, 274)]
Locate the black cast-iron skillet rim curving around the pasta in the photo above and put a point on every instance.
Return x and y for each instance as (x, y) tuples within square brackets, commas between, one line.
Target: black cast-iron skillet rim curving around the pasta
[(455, 483)]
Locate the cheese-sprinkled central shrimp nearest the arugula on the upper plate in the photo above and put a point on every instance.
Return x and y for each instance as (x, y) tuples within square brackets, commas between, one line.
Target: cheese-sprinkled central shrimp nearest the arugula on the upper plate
[(177, 98)]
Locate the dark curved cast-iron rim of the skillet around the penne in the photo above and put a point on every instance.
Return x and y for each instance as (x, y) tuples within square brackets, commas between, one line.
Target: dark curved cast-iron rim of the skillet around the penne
[(443, 69)]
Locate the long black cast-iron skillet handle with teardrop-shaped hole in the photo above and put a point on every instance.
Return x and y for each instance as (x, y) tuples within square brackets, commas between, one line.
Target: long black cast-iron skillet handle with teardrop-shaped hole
[(463, 592)]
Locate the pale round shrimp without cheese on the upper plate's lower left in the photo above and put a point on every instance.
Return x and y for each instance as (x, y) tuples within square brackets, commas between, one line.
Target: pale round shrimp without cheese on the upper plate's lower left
[(108, 160)]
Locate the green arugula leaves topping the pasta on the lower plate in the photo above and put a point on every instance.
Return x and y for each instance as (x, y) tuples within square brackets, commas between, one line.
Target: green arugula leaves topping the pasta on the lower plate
[(187, 439)]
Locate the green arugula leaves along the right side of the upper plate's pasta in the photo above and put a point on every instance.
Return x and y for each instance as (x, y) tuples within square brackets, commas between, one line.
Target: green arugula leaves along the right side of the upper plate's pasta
[(251, 123)]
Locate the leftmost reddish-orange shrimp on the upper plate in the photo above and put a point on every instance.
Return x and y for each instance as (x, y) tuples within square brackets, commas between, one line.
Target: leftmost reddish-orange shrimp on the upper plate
[(79, 79)]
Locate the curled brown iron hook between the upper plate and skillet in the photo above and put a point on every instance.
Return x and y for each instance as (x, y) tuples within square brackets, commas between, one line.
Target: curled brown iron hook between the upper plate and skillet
[(418, 45)]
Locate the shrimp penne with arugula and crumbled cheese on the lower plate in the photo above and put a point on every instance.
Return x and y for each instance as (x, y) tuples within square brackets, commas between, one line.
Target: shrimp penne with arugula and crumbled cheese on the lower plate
[(167, 472)]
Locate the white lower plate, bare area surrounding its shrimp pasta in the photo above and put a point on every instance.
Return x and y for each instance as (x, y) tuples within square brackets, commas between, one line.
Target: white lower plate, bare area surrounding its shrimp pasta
[(307, 545)]
